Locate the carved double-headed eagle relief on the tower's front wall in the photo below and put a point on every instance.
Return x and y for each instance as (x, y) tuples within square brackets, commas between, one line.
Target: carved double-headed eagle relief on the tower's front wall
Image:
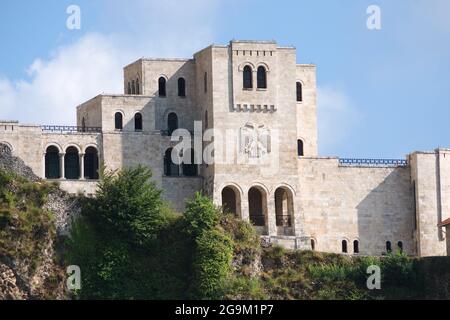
[(255, 140)]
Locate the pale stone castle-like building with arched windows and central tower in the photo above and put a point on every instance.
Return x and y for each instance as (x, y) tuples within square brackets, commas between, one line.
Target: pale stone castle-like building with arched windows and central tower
[(251, 107)]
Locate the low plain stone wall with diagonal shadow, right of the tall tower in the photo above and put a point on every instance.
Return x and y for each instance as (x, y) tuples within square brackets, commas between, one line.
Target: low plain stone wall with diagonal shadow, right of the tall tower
[(371, 205)]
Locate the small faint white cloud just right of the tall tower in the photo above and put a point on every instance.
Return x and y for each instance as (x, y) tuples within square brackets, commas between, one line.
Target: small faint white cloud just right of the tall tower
[(337, 116)]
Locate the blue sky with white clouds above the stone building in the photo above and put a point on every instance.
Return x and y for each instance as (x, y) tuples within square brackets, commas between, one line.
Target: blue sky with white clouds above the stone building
[(381, 93)]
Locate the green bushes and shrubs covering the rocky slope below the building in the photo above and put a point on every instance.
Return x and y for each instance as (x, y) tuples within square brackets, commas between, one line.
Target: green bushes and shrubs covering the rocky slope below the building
[(130, 245)]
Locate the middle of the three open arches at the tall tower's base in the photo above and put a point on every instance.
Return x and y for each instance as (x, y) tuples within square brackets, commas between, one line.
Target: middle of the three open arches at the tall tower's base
[(257, 205)]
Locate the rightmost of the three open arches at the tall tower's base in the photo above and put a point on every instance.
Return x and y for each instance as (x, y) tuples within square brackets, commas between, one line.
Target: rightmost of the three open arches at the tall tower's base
[(284, 211)]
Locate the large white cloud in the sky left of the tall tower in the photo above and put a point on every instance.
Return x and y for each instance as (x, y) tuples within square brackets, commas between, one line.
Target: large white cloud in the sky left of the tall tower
[(94, 63)]
